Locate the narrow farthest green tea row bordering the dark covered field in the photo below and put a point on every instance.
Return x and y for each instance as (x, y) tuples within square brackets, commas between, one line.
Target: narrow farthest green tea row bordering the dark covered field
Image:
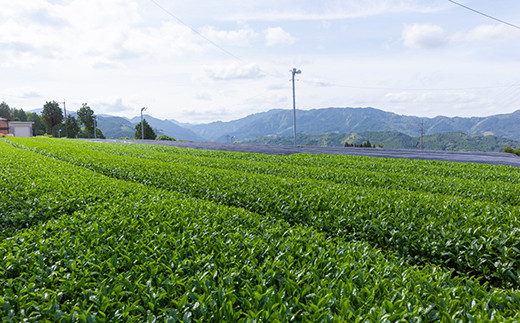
[(474, 188)]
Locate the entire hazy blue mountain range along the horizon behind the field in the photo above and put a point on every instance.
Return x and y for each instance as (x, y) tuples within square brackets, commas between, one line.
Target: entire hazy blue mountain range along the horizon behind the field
[(279, 122)]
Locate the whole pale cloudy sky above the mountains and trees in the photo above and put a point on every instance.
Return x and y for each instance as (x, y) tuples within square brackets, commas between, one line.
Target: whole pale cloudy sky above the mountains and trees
[(199, 61)]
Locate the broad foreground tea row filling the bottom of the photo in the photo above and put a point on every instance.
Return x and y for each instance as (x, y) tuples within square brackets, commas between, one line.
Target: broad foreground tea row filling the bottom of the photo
[(156, 255)]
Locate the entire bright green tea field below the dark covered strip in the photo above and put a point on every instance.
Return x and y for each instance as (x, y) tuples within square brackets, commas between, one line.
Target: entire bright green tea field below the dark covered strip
[(126, 232)]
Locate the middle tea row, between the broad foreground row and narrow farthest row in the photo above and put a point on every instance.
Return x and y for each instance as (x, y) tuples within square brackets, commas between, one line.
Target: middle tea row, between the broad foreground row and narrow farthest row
[(473, 237)]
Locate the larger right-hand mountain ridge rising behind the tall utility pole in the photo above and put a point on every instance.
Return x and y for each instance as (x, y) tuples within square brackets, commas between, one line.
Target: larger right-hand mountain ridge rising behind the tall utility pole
[(348, 120)]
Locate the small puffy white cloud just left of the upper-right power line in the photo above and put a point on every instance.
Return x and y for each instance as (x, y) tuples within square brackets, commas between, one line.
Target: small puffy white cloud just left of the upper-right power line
[(424, 36)]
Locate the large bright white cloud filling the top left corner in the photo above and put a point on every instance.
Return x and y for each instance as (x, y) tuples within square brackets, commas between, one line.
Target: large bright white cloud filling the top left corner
[(94, 33)]
